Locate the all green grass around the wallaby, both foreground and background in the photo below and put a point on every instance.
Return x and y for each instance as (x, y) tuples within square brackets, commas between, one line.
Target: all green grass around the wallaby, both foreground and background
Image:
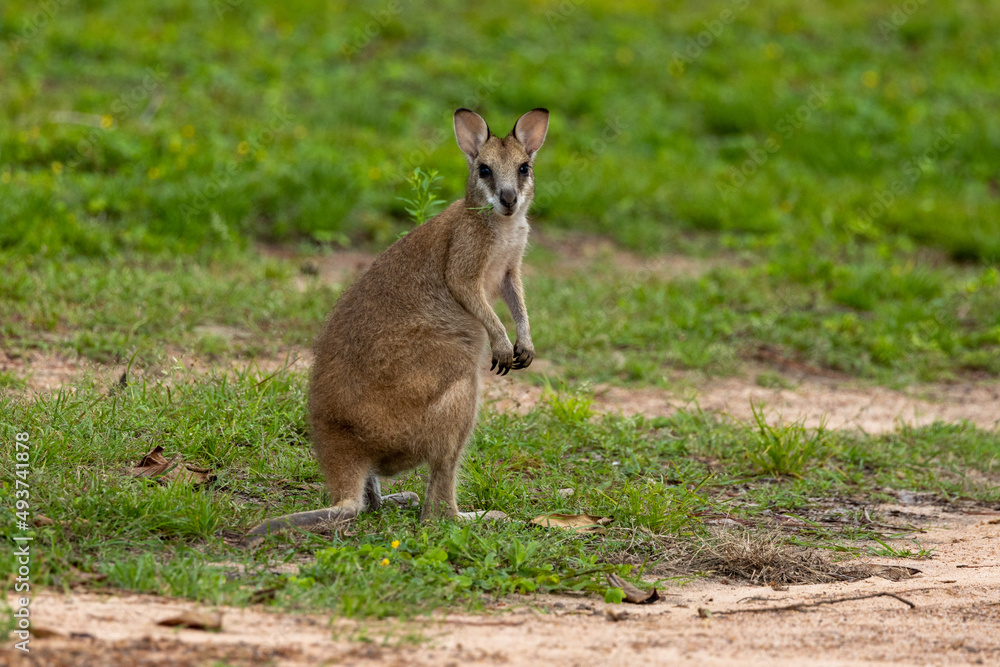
[(837, 173)]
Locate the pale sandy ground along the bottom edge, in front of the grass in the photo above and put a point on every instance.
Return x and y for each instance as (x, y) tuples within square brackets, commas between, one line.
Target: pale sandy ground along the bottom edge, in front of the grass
[(953, 621)]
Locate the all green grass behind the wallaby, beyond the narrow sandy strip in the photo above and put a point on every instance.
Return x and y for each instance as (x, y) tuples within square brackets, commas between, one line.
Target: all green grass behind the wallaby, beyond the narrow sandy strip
[(836, 162)]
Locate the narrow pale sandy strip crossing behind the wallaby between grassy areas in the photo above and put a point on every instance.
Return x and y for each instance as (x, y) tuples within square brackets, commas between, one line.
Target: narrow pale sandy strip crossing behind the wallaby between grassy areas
[(839, 403)]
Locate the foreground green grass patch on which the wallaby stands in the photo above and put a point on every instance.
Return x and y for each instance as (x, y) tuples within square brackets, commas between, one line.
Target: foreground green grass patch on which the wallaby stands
[(661, 481)]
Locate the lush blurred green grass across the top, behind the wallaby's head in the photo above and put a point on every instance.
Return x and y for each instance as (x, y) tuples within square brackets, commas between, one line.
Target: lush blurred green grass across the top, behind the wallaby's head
[(185, 125)]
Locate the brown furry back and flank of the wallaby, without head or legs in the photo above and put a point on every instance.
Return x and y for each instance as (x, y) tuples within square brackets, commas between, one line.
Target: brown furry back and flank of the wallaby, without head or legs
[(396, 340)]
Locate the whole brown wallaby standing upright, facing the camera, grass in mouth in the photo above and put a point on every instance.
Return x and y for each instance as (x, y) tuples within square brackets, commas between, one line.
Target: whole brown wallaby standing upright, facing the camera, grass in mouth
[(395, 381)]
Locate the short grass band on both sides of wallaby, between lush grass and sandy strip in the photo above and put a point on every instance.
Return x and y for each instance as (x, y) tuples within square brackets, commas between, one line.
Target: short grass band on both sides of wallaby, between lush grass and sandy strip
[(600, 324)]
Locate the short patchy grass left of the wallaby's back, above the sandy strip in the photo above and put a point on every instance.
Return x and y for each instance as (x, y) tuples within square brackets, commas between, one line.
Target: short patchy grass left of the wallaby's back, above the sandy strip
[(109, 311)]
